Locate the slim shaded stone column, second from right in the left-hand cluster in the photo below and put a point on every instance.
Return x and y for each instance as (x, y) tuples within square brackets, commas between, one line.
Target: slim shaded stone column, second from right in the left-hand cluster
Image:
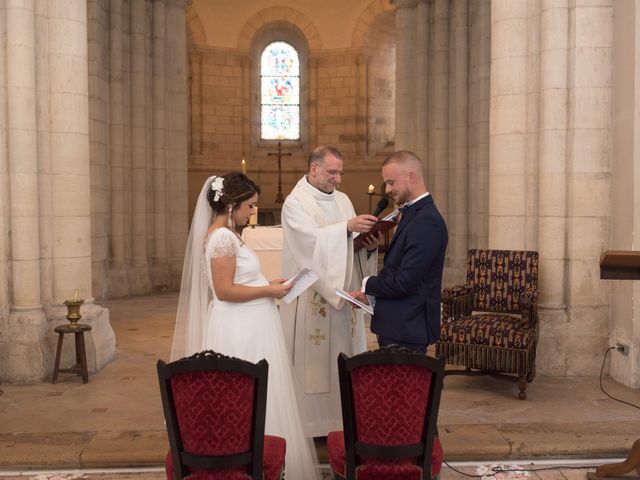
[(160, 268)]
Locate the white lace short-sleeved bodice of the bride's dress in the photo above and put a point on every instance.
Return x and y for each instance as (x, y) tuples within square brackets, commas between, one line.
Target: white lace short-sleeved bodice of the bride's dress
[(224, 243)]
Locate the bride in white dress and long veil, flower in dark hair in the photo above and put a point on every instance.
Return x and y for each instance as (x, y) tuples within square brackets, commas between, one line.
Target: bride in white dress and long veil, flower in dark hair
[(228, 306)]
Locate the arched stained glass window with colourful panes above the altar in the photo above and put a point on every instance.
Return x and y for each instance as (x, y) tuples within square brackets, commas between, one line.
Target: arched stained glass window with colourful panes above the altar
[(280, 92)]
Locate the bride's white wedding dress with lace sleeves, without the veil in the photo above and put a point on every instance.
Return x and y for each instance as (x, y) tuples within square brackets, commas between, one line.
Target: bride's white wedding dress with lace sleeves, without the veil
[(252, 331)]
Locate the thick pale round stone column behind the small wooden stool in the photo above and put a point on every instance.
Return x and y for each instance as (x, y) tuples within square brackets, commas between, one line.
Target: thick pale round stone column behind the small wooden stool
[(70, 180)]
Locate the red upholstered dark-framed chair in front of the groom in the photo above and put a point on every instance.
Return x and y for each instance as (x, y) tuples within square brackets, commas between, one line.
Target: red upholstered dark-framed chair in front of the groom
[(390, 401)]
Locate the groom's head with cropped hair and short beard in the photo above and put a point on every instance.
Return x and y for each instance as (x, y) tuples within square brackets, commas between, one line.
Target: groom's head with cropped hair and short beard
[(403, 177)]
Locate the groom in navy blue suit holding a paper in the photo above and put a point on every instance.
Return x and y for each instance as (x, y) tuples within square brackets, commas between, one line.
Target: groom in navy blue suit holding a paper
[(407, 289)]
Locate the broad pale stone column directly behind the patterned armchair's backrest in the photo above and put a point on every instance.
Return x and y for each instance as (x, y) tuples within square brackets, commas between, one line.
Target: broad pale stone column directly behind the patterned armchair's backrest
[(508, 124)]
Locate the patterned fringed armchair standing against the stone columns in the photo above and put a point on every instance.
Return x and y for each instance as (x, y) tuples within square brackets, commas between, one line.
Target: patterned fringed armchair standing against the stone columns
[(490, 324)]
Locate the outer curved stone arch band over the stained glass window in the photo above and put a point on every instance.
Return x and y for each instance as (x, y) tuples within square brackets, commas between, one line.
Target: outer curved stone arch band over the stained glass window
[(279, 14)]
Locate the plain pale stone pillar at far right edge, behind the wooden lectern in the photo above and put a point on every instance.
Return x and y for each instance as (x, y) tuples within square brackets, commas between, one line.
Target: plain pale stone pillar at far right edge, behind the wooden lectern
[(624, 312)]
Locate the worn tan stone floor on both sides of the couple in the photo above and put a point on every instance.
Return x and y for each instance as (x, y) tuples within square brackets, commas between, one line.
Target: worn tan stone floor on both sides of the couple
[(116, 419)]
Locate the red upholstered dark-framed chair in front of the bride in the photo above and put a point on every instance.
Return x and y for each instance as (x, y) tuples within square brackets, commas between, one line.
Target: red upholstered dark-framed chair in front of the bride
[(215, 407)]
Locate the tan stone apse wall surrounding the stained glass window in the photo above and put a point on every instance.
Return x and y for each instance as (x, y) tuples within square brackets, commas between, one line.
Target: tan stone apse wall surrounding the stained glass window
[(347, 99)]
